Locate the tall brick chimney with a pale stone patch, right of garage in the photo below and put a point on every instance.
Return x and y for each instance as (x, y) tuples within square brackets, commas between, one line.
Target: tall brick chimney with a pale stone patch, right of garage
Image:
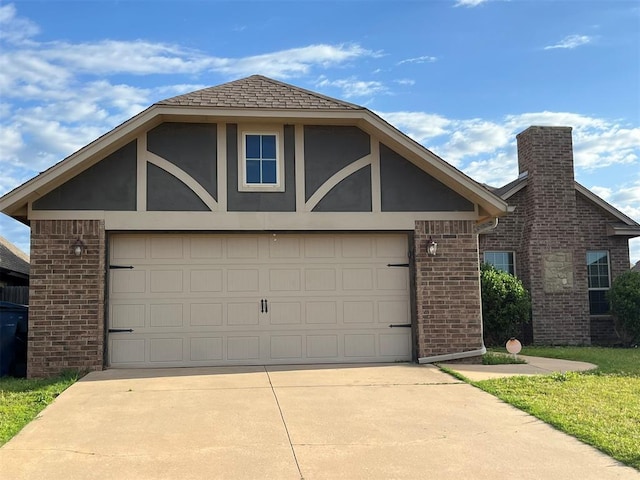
[(554, 248)]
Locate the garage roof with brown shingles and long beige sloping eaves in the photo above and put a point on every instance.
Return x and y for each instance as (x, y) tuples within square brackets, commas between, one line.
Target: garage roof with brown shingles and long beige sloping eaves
[(253, 98)]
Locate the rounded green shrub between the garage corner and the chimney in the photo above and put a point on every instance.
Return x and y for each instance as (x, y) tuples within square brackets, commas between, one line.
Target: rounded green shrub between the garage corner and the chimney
[(506, 305)]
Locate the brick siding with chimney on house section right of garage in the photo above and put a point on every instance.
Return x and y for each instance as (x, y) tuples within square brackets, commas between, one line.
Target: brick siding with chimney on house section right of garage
[(551, 216)]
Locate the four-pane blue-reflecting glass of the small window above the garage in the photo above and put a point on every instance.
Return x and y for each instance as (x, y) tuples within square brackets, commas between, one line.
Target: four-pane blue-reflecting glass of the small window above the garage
[(261, 160)]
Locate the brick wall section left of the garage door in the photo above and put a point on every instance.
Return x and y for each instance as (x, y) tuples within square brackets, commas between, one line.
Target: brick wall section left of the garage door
[(66, 305)]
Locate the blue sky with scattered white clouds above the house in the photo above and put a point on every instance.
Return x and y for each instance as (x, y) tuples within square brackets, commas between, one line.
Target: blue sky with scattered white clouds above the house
[(461, 77)]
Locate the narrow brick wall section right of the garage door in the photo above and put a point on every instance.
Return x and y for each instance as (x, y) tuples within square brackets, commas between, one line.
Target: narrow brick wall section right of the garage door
[(449, 314)]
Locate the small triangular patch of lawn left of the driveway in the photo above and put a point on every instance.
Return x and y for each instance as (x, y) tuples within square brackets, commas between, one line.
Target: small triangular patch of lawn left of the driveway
[(21, 400)]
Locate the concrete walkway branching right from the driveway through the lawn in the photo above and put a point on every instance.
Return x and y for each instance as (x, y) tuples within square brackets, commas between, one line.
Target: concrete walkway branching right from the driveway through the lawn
[(534, 366)]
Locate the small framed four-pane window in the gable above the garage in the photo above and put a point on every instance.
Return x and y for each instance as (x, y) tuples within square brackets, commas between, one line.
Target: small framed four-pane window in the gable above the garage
[(261, 162)]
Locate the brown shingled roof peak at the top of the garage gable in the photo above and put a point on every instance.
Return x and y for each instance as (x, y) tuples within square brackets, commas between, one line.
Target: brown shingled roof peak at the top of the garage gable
[(257, 91)]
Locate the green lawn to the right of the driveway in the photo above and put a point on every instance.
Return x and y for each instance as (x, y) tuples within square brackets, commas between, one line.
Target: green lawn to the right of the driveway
[(601, 407)]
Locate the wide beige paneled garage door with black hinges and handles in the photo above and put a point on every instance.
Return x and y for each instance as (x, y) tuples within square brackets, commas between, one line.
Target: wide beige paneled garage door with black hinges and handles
[(197, 300)]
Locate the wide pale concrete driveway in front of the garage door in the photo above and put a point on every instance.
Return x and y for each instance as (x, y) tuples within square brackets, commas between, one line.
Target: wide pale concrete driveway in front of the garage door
[(337, 422)]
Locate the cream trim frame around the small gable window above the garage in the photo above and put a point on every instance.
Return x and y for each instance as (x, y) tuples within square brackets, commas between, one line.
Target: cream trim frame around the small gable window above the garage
[(245, 130)]
